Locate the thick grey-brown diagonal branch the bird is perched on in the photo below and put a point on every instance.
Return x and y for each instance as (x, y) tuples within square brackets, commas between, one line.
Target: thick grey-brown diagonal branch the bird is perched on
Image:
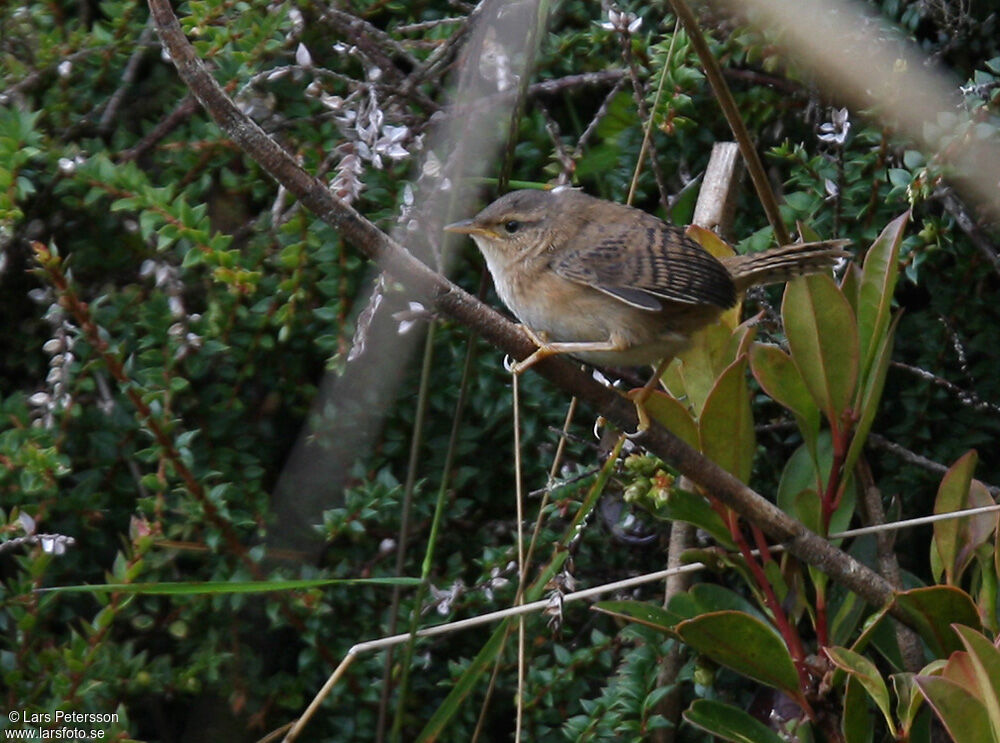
[(452, 301)]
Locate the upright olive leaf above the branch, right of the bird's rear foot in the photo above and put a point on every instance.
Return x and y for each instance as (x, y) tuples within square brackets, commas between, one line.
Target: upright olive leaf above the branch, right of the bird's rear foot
[(726, 423)]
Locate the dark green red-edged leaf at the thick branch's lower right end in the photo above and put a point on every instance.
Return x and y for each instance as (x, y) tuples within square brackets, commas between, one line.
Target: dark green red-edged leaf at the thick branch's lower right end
[(933, 610)]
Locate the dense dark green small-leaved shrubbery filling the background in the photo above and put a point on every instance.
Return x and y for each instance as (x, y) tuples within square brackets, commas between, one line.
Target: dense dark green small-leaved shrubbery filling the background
[(157, 436)]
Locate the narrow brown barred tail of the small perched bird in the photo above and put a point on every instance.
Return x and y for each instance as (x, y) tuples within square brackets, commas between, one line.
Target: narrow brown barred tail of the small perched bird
[(781, 264)]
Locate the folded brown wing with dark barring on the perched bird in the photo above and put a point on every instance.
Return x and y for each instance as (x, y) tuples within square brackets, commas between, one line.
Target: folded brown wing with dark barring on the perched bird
[(645, 264)]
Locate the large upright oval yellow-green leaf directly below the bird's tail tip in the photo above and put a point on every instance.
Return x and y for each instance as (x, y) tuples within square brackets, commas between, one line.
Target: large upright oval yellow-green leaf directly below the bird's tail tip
[(823, 338)]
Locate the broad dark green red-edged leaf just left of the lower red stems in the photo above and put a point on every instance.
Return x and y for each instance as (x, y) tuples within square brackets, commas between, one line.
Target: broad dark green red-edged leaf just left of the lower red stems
[(744, 644)]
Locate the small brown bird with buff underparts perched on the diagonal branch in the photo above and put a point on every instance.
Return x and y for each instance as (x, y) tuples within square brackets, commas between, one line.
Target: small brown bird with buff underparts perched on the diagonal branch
[(612, 285)]
